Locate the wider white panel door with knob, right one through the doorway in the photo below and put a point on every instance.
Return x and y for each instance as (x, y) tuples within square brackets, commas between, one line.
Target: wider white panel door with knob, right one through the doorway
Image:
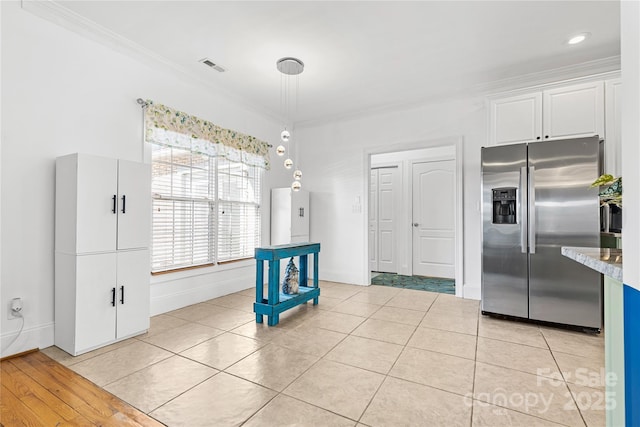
[(434, 218)]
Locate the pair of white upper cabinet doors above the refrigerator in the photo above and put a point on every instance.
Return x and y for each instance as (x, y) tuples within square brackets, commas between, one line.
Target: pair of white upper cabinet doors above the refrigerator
[(561, 112)]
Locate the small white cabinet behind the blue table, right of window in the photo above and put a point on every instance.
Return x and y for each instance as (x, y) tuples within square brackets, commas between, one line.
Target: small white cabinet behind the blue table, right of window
[(289, 216)]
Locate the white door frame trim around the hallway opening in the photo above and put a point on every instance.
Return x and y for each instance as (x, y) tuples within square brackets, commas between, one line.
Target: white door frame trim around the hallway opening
[(429, 151)]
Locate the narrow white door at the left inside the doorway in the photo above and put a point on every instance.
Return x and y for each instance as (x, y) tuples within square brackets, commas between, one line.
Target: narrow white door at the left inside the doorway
[(387, 206)]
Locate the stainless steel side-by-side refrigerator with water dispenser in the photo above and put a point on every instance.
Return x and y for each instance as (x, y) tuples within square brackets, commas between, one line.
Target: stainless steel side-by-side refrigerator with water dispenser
[(537, 198)]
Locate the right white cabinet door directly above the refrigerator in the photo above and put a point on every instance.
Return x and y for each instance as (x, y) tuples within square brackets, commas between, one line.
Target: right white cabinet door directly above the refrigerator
[(573, 111)]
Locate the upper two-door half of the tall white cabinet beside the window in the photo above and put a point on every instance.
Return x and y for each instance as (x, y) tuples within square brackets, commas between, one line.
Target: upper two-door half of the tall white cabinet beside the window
[(102, 204)]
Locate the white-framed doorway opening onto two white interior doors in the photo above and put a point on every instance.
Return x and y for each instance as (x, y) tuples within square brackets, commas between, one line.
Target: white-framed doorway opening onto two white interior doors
[(428, 193)]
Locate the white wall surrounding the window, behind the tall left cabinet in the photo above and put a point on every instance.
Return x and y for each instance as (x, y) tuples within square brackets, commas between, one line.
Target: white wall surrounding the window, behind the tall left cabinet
[(63, 93)]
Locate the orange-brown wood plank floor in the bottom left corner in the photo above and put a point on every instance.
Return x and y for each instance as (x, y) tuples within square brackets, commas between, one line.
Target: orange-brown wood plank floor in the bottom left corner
[(38, 391)]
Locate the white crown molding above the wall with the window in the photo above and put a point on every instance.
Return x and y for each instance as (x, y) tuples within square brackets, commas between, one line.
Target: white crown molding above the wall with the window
[(56, 13)]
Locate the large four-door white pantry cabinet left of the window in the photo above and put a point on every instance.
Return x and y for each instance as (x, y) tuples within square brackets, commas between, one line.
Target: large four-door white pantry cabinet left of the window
[(103, 214)]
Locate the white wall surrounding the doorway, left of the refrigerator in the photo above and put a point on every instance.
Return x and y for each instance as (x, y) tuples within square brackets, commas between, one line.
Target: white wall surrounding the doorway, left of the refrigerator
[(334, 164)]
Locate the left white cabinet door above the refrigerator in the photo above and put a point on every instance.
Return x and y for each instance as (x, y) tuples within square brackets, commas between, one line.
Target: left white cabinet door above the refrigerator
[(516, 119)]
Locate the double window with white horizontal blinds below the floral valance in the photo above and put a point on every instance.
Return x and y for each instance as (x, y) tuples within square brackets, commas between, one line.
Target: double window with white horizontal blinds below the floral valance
[(206, 208)]
